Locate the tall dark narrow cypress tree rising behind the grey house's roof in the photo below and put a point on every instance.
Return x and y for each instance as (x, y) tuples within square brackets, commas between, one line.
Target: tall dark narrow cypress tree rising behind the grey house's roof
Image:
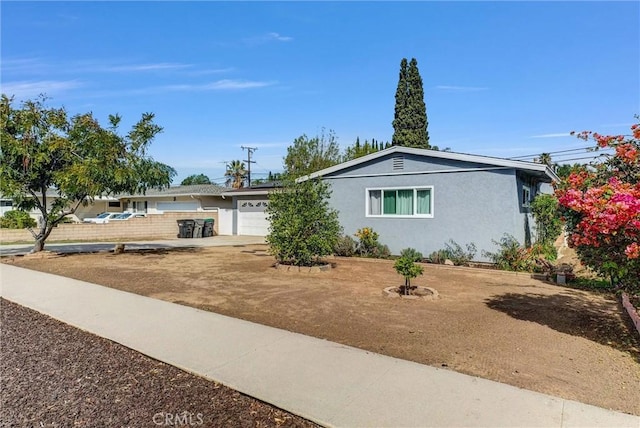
[(410, 118)]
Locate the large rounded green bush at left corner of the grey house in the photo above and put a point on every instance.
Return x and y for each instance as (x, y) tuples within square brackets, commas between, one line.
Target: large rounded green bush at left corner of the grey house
[(304, 228)]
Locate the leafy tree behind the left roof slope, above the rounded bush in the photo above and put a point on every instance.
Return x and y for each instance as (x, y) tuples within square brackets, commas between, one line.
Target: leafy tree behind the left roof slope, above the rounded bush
[(308, 155)]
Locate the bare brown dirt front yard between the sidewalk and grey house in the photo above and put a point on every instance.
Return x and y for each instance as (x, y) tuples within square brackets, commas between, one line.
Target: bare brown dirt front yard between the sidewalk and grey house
[(496, 325)]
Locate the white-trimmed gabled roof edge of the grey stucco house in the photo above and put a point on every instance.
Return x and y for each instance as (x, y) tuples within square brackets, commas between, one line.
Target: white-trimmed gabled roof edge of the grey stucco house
[(531, 166)]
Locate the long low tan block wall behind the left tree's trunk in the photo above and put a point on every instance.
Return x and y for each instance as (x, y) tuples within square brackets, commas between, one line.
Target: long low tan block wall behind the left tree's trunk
[(158, 226)]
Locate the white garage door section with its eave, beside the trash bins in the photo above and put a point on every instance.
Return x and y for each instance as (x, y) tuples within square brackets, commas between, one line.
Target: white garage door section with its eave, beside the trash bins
[(249, 204)]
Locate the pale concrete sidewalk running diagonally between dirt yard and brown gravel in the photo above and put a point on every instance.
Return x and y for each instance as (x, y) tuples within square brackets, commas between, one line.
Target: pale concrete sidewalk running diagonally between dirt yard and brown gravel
[(329, 383)]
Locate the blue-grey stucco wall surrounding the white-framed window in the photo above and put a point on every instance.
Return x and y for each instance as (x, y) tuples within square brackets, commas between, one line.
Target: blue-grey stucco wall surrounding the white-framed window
[(470, 206)]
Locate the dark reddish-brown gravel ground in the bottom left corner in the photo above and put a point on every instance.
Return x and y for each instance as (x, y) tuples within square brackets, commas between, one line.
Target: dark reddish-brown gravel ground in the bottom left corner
[(55, 375)]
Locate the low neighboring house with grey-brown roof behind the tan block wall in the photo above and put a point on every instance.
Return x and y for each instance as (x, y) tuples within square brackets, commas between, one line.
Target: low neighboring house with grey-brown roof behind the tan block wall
[(197, 199)]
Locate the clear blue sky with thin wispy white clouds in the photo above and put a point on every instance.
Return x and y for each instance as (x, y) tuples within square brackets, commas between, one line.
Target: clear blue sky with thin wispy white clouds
[(501, 78)]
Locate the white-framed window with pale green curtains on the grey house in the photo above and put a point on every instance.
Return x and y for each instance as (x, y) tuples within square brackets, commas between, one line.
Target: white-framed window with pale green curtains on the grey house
[(399, 202)]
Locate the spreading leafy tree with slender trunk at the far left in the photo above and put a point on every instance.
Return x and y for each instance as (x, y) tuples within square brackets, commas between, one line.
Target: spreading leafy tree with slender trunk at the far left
[(42, 148)]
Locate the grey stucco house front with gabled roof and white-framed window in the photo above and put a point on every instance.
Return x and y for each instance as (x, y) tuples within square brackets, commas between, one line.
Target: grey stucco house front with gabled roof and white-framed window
[(423, 198)]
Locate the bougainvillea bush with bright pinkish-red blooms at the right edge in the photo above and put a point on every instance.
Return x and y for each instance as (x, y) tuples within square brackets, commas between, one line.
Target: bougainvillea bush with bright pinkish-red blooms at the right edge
[(601, 206)]
